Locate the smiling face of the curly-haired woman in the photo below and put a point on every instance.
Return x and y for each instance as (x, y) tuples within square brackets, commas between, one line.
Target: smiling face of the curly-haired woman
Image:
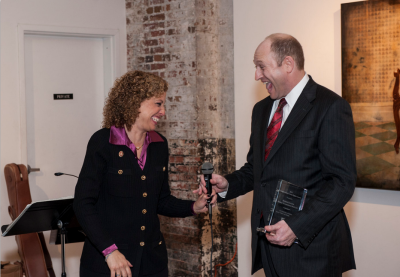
[(150, 112)]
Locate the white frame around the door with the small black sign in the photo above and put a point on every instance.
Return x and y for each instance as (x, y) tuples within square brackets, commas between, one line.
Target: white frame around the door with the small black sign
[(110, 58)]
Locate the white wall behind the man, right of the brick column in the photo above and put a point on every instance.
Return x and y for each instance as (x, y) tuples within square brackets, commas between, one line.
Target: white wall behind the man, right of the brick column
[(373, 214)]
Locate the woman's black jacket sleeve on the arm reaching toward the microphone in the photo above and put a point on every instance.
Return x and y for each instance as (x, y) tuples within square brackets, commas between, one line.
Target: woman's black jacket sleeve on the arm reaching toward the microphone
[(169, 205)]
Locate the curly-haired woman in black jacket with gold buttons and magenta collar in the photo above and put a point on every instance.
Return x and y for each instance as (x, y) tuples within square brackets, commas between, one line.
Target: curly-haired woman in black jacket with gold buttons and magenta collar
[(123, 184)]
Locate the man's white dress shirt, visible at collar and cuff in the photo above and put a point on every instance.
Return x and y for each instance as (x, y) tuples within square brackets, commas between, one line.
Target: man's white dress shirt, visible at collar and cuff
[(291, 99)]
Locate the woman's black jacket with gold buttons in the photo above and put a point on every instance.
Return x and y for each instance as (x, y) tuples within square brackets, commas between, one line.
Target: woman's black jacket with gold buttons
[(114, 198)]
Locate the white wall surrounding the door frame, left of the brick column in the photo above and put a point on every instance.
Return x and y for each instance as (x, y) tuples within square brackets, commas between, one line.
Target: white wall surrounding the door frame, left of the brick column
[(93, 14)]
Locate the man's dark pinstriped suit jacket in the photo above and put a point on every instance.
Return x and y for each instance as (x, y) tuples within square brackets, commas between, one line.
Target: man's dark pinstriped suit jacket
[(315, 149)]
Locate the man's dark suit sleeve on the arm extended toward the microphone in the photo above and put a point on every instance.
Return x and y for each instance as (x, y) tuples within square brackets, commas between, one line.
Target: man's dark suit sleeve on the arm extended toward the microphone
[(242, 181)]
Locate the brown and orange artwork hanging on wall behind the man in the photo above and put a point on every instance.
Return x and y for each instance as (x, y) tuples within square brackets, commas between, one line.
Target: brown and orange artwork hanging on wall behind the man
[(370, 83)]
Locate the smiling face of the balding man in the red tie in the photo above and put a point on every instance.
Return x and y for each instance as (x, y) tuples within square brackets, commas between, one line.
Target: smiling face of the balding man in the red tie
[(267, 71)]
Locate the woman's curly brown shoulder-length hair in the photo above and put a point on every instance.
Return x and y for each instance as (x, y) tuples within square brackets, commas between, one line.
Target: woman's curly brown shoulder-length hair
[(123, 102)]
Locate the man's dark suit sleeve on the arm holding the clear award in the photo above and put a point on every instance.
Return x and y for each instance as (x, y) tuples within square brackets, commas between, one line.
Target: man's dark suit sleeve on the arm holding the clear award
[(336, 145)]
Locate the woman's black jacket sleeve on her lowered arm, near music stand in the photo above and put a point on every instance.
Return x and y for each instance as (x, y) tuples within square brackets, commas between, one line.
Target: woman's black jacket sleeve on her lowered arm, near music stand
[(87, 193)]
